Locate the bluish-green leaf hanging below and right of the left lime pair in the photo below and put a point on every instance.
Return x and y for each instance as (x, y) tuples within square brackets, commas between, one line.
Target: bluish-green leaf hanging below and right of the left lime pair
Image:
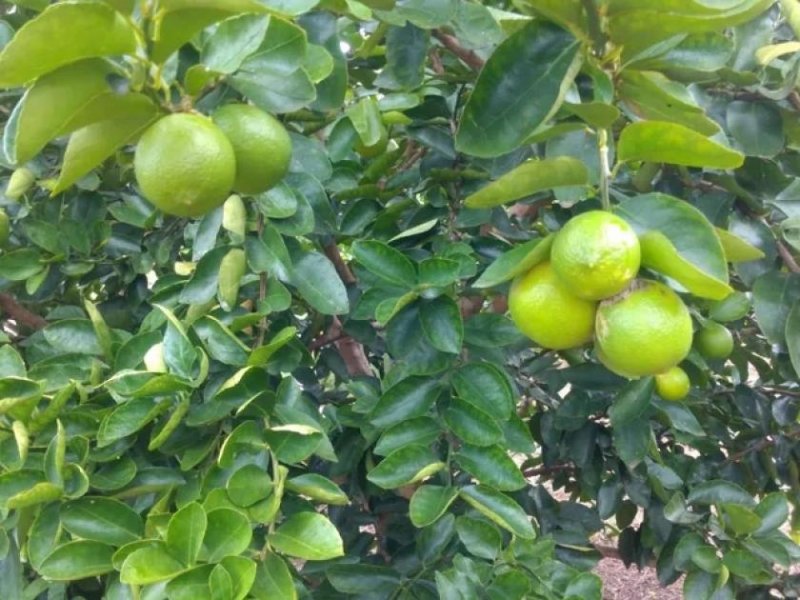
[(319, 284)]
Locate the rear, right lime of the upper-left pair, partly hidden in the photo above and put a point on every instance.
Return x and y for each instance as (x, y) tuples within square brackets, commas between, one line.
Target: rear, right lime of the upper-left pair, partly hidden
[(261, 144)]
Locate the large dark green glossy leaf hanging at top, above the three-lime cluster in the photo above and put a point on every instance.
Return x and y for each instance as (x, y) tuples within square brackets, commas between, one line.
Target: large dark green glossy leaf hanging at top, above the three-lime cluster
[(522, 84)]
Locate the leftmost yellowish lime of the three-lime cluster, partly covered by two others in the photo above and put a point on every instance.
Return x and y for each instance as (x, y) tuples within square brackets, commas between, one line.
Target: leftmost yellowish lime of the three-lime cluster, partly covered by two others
[(545, 311)]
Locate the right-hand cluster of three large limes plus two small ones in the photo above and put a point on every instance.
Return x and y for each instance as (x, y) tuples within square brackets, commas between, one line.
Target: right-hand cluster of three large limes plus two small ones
[(588, 289)]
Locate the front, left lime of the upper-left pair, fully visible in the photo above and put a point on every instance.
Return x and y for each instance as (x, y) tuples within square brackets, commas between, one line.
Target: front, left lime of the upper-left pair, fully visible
[(185, 165)]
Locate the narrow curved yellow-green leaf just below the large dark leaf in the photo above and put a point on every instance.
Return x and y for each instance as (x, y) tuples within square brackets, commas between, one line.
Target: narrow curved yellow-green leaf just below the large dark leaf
[(528, 179)]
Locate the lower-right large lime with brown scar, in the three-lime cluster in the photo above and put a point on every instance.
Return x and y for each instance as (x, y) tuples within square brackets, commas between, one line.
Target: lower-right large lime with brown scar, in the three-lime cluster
[(646, 330)]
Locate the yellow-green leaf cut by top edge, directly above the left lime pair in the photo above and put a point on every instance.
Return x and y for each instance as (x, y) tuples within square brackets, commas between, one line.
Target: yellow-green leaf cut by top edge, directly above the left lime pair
[(178, 21)]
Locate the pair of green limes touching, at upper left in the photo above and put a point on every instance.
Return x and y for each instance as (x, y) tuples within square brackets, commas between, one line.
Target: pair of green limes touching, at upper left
[(186, 164)]
